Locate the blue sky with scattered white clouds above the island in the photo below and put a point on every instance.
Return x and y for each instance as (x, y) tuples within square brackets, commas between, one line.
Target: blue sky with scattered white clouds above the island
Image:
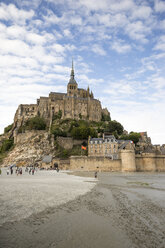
[(118, 48)]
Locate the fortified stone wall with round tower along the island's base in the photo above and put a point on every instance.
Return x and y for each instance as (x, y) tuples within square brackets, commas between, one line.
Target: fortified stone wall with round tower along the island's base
[(128, 162)]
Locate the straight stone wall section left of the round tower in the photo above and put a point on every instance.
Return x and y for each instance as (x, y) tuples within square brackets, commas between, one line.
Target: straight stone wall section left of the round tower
[(94, 164)]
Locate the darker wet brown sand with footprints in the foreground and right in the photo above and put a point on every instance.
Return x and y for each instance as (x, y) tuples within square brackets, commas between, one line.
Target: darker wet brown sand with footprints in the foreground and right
[(121, 211)]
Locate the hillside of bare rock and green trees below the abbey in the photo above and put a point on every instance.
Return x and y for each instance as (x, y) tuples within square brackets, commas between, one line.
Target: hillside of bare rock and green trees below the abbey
[(35, 139)]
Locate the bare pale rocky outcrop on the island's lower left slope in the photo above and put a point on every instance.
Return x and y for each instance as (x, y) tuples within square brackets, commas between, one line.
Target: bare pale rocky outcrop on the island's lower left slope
[(30, 147)]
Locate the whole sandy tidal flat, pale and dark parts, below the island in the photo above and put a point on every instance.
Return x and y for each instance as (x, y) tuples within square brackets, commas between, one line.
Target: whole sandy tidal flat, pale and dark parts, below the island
[(50, 209)]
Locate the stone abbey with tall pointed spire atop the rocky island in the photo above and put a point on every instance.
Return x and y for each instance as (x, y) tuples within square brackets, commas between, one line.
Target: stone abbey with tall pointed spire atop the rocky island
[(75, 104)]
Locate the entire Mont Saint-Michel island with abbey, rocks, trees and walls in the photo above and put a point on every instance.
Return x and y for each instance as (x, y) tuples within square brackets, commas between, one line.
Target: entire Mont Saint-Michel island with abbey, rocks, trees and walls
[(73, 131)]
